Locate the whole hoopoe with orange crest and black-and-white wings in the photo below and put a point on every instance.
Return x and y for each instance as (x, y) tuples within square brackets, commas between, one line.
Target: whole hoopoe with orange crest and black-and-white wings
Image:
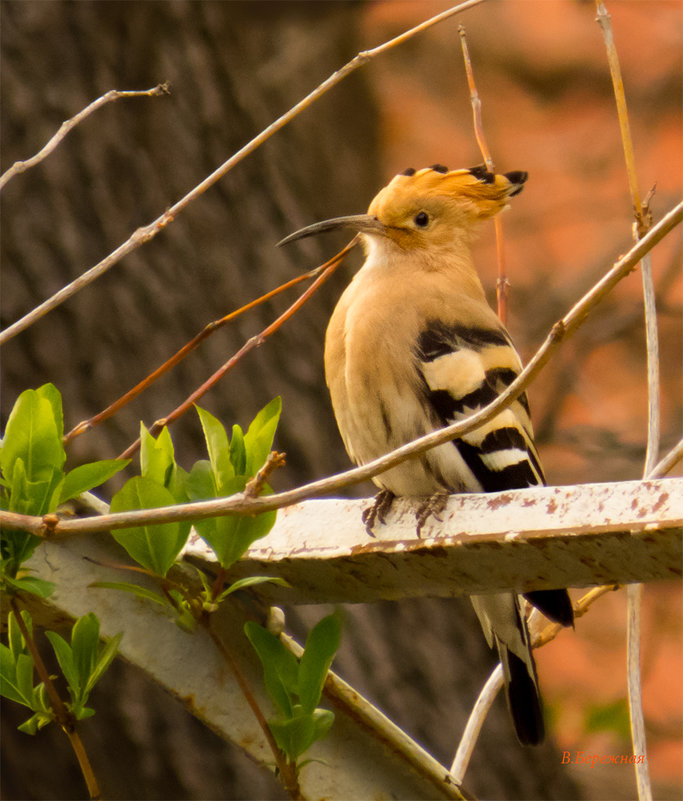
[(412, 346)]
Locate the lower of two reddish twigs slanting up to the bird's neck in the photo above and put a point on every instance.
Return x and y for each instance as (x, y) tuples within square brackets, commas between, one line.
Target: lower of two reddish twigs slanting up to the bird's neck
[(256, 341)]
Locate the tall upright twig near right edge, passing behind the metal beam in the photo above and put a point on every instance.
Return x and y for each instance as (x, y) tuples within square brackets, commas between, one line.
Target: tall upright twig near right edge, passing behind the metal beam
[(642, 223)]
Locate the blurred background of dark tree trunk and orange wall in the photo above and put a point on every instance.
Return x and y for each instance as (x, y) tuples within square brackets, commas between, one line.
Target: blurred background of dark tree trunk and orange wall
[(548, 108)]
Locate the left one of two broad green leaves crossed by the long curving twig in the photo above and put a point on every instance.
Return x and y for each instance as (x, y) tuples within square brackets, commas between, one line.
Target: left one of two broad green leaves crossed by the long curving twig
[(153, 546)]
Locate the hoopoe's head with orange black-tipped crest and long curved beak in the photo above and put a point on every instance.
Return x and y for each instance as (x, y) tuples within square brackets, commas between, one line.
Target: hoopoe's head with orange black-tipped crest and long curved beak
[(429, 208)]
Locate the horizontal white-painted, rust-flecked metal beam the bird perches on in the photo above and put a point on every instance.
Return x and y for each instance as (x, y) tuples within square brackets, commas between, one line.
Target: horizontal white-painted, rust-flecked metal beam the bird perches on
[(539, 538)]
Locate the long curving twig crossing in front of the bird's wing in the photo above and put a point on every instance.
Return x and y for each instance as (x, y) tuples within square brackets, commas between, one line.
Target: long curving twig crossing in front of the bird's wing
[(237, 504)]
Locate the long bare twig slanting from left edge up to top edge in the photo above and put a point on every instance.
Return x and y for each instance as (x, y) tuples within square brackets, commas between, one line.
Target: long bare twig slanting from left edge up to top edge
[(148, 232)]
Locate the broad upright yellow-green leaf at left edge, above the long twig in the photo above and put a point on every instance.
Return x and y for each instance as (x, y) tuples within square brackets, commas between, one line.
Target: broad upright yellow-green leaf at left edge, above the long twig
[(32, 434)]
